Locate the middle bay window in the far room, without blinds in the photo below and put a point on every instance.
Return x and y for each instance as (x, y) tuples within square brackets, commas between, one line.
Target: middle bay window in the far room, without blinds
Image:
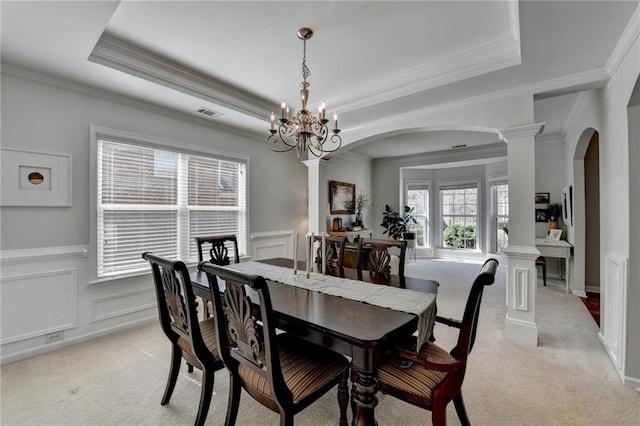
[(459, 207)]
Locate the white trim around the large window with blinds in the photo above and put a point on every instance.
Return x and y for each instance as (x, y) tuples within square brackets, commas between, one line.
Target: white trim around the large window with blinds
[(95, 132)]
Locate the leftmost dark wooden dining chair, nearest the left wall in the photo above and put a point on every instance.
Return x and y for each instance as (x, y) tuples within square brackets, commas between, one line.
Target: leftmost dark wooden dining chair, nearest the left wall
[(192, 340)]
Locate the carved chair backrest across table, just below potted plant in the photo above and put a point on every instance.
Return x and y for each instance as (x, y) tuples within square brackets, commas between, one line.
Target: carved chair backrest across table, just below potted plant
[(374, 256)]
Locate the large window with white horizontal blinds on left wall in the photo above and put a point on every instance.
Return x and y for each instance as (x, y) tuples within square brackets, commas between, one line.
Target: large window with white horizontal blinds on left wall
[(156, 199)]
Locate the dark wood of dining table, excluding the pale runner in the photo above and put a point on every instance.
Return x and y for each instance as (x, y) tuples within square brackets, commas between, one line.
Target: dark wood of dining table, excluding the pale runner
[(357, 329)]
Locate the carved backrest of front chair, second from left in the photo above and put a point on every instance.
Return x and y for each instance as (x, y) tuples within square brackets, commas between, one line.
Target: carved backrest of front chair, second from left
[(241, 339)]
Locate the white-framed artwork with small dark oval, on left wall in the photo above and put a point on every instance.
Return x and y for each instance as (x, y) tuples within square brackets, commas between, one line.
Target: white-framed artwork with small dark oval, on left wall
[(35, 179)]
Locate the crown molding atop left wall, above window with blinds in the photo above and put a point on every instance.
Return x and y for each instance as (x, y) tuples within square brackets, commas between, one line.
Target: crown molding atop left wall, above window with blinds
[(107, 95)]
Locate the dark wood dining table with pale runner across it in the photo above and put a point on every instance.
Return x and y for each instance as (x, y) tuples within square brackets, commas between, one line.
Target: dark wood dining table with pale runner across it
[(361, 330)]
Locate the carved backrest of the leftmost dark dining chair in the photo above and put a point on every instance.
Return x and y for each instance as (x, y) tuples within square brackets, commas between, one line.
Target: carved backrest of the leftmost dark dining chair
[(177, 306)]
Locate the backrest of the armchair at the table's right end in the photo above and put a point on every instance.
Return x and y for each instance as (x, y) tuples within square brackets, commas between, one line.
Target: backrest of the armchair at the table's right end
[(469, 323)]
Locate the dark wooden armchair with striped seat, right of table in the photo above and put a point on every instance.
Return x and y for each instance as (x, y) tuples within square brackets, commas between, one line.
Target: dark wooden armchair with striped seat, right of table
[(436, 376)]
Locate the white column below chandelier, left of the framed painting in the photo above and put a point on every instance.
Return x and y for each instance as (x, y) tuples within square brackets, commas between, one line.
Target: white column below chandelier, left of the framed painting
[(318, 194)]
